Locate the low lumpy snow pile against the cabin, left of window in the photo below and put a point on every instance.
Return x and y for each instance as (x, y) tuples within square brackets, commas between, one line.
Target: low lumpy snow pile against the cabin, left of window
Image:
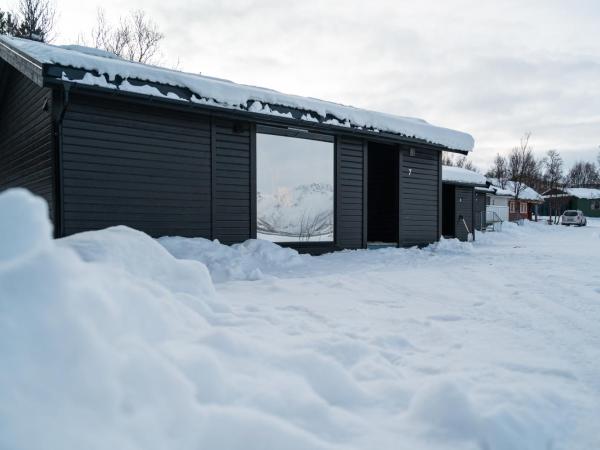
[(247, 261)]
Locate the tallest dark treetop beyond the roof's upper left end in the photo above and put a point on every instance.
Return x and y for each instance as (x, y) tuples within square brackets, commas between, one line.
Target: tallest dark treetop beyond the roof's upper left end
[(34, 20)]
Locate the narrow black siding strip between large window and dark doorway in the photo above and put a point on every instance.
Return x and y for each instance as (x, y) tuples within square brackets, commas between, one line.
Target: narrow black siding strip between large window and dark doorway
[(350, 165)]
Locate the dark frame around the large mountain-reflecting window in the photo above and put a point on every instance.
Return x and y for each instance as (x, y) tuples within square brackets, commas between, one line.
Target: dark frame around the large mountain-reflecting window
[(304, 134)]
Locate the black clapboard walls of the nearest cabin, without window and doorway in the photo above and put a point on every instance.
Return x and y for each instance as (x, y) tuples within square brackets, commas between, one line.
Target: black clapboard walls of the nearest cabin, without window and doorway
[(170, 171)]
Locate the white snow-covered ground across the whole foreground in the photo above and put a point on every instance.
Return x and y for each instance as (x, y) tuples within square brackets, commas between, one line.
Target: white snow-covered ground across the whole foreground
[(109, 341)]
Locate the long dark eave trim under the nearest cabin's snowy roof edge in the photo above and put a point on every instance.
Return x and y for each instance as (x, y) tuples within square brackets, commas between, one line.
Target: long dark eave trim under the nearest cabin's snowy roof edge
[(260, 119)]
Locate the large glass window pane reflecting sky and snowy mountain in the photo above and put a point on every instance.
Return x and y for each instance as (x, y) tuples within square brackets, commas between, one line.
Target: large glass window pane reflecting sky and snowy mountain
[(294, 184)]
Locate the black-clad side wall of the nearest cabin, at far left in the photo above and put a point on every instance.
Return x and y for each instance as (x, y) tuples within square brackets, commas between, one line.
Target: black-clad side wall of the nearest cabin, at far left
[(26, 136)]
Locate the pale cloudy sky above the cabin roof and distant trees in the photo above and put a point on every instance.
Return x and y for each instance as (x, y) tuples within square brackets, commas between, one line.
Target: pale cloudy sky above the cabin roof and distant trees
[(493, 69)]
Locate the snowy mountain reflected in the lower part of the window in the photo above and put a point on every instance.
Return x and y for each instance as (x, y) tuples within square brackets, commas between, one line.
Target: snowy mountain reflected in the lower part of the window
[(302, 213)]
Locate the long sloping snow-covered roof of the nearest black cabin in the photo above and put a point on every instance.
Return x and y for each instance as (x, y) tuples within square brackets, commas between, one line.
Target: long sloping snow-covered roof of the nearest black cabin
[(108, 71)]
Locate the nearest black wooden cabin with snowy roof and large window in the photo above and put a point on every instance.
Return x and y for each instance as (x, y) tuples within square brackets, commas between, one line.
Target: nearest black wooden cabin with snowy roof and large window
[(109, 142)]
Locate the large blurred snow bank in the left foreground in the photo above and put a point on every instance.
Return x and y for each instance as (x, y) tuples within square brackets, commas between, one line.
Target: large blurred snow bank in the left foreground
[(88, 353)]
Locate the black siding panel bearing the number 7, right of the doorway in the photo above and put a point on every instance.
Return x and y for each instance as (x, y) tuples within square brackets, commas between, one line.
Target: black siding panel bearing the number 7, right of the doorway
[(420, 181)]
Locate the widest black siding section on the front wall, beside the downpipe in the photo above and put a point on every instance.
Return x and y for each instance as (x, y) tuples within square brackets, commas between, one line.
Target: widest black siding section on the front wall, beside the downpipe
[(144, 167)]
